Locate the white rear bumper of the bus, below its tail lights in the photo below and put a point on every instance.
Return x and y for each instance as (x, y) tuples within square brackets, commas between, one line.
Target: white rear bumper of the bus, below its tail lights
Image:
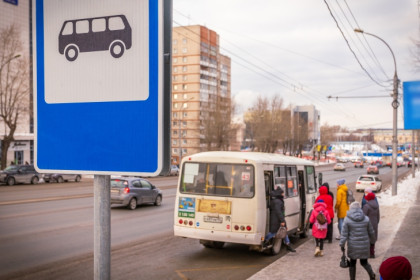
[(221, 236)]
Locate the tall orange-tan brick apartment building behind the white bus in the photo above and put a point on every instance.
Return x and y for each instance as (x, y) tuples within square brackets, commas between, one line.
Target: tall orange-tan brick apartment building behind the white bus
[(201, 79)]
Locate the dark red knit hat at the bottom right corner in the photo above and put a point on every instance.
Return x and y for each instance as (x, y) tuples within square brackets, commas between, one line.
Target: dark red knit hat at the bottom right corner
[(396, 268)]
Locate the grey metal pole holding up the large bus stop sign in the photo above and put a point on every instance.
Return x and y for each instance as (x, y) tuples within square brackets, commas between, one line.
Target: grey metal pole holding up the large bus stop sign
[(102, 227)]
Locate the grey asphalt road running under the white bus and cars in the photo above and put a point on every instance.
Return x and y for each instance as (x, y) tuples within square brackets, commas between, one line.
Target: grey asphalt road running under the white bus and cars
[(46, 232)]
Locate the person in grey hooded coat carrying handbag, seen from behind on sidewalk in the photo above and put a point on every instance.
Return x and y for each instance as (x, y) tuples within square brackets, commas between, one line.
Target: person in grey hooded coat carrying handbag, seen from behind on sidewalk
[(358, 233)]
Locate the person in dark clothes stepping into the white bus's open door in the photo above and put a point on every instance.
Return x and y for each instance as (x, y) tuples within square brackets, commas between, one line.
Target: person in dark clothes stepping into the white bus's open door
[(277, 219)]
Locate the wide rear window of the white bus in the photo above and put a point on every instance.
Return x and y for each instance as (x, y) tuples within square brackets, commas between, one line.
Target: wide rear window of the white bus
[(216, 179)]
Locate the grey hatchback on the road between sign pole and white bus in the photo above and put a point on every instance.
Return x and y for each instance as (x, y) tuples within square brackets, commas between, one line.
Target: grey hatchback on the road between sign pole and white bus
[(133, 191)]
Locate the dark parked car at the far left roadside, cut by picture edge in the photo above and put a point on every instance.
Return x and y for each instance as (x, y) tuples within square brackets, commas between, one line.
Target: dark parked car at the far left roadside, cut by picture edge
[(18, 174)]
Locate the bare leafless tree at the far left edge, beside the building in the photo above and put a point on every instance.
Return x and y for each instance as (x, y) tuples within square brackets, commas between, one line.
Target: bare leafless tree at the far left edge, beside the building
[(14, 85)]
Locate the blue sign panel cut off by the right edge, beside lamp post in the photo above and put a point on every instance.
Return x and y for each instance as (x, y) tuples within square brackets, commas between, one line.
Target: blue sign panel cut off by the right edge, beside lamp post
[(411, 91)]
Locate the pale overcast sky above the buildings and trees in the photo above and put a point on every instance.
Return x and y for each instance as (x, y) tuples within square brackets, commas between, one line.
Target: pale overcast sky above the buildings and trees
[(295, 50)]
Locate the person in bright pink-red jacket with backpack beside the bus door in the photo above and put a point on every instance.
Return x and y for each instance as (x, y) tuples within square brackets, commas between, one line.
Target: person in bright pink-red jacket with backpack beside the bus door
[(319, 231)]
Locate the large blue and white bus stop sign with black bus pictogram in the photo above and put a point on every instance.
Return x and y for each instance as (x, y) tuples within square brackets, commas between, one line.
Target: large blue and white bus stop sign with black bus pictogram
[(99, 102)]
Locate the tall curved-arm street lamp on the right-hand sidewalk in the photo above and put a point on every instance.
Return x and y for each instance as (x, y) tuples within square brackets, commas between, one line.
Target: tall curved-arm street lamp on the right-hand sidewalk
[(395, 105)]
